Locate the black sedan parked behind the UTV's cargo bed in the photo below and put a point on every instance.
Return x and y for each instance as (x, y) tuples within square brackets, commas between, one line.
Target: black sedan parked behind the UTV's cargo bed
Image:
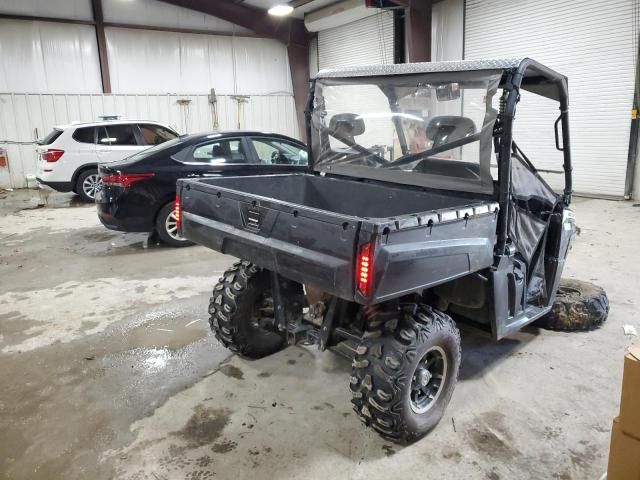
[(138, 193)]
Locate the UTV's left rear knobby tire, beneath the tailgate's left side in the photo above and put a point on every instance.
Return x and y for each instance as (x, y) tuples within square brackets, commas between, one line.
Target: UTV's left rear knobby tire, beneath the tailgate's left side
[(242, 311)]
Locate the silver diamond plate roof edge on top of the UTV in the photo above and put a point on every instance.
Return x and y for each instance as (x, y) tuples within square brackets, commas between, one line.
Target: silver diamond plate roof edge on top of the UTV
[(426, 67)]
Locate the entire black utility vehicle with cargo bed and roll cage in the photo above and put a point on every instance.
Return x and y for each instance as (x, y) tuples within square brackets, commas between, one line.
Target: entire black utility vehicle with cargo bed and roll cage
[(397, 231)]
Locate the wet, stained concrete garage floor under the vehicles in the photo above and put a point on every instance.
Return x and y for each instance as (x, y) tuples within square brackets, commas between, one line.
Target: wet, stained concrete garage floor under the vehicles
[(108, 370)]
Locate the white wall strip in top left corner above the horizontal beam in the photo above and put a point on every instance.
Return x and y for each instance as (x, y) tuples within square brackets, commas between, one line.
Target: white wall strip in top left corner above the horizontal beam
[(71, 9)]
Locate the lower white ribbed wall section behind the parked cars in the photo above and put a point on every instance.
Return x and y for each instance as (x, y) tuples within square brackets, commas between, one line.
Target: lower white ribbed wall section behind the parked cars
[(21, 114)]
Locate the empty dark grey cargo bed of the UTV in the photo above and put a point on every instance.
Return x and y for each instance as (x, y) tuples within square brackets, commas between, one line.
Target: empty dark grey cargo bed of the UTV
[(310, 228)]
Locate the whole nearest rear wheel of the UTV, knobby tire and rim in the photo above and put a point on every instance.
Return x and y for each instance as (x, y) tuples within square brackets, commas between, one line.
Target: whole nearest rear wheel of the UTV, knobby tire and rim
[(402, 381)]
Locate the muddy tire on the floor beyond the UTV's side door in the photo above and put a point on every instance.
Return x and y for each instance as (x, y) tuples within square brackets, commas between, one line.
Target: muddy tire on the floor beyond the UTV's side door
[(578, 306)]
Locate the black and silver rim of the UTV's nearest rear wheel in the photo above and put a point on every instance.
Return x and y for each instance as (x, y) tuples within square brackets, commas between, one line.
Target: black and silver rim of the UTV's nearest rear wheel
[(427, 381)]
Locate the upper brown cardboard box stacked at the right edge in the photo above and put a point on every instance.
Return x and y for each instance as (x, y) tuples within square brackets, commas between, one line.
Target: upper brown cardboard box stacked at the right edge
[(630, 402)]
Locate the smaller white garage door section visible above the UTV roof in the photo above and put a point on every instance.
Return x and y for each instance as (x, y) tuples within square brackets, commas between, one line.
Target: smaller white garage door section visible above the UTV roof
[(366, 41)]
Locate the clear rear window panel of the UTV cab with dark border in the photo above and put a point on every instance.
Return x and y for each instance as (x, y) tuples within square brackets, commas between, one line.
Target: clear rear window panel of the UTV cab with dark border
[(431, 130)]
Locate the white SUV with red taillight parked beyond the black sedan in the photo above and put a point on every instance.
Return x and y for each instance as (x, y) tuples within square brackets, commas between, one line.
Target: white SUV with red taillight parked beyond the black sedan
[(70, 154)]
